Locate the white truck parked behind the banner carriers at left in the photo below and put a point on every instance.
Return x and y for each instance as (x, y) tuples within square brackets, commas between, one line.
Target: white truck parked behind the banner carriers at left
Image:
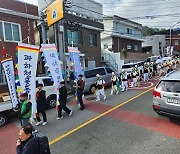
[(6, 110)]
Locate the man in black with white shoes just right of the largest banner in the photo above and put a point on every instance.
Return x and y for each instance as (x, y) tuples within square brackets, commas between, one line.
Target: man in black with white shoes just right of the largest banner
[(41, 105)]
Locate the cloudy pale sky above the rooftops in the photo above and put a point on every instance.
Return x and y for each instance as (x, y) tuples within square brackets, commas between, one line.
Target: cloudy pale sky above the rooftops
[(142, 9)]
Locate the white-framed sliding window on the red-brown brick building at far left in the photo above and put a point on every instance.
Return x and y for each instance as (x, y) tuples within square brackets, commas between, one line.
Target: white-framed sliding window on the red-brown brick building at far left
[(12, 32)]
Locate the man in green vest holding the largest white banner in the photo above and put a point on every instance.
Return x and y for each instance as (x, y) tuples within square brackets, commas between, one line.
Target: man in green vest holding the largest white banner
[(25, 111)]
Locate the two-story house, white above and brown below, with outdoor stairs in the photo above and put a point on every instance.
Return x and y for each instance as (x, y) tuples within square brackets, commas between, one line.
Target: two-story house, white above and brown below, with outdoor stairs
[(121, 35)]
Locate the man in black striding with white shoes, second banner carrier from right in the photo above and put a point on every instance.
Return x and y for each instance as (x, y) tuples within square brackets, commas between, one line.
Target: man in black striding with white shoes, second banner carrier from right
[(62, 101)]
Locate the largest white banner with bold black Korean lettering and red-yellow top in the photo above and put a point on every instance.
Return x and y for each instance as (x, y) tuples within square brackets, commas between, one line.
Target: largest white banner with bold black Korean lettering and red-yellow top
[(27, 66)]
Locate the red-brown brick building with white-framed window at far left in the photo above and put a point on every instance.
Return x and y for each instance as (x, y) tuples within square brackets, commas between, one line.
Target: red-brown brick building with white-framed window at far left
[(16, 24)]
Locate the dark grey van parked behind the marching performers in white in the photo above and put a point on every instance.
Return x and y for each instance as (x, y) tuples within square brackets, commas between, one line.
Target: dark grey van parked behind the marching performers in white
[(90, 77)]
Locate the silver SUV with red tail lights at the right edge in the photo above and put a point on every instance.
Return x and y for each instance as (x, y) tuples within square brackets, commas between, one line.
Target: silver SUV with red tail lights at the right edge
[(166, 95)]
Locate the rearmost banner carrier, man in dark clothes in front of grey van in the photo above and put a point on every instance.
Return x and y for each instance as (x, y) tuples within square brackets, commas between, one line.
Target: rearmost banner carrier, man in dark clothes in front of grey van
[(80, 90)]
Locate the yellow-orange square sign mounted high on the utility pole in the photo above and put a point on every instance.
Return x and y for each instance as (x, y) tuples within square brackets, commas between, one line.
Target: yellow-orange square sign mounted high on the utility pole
[(54, 12)]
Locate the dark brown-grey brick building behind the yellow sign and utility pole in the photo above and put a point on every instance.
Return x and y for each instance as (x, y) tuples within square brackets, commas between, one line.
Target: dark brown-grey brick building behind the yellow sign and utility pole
[(82, 26)]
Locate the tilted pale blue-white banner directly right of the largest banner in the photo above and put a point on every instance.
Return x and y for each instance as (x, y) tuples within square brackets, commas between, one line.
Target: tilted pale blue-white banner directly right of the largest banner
[(53, 62)]
